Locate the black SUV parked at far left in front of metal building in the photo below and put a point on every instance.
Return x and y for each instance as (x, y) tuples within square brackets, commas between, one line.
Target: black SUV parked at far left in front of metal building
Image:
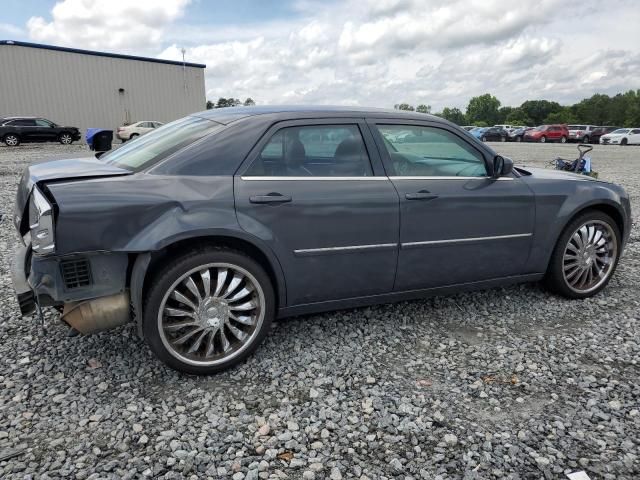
[(17, 130)]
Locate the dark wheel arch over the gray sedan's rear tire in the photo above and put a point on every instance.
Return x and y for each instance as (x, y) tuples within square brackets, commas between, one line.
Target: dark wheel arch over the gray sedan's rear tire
[(143, 266)]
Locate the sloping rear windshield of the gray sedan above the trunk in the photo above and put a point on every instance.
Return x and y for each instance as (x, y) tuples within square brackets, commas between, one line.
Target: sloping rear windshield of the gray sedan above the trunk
[(159, 144)]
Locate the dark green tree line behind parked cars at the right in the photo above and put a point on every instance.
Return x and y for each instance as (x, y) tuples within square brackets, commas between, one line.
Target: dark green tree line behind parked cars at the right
[(622, 109)]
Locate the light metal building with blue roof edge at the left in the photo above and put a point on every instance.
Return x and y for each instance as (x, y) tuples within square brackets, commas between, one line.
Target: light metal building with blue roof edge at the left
[(83, 88)]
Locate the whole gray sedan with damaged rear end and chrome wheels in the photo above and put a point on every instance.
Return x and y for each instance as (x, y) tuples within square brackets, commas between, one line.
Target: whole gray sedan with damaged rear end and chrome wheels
[(207, 229)]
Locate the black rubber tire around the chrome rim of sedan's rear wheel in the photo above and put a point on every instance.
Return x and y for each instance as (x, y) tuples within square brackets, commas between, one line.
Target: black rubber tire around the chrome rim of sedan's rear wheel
[(163, 280)]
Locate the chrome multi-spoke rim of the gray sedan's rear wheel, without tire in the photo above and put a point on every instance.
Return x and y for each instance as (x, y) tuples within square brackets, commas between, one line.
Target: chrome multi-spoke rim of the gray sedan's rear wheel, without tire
[(211, 314)]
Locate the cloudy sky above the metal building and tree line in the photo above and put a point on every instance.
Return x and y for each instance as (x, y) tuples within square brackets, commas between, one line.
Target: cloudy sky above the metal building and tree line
[(365, 52)]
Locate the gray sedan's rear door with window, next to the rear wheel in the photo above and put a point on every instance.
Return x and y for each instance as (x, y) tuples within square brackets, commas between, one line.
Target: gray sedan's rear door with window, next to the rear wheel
[(312, 193)]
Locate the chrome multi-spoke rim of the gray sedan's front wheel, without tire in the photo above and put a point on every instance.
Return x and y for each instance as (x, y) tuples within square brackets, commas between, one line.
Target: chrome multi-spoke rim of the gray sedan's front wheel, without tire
[(590, 256)]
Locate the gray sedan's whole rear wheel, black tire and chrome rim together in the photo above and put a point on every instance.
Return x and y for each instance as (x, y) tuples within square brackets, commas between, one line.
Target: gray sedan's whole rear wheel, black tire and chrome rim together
[(208, 310)]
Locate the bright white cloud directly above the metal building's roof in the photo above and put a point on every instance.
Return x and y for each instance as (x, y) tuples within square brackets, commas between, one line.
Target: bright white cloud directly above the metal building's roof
[(128, 25)]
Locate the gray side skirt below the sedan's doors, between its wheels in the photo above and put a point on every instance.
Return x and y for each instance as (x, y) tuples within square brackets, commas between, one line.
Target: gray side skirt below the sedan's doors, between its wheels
[(356, 302)]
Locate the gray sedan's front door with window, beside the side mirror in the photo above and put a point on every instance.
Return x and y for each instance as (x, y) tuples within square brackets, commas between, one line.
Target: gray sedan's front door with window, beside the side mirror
[(458, 225)]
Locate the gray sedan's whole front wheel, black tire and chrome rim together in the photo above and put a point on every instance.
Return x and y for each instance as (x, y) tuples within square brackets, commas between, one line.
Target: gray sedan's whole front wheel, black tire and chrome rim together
[(585, 257)]
